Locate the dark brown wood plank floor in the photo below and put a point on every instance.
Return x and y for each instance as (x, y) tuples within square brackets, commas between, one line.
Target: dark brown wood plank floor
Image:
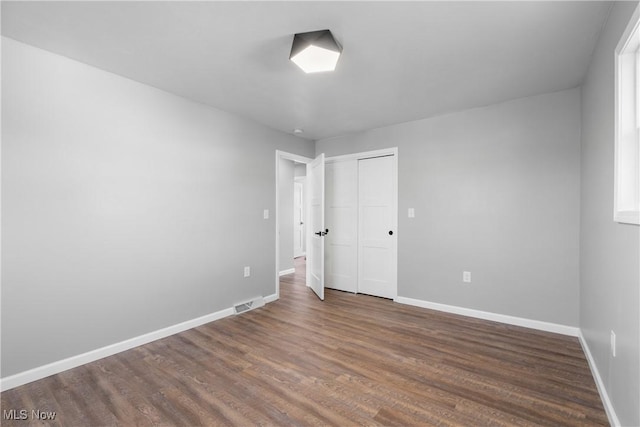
[(352, 359)]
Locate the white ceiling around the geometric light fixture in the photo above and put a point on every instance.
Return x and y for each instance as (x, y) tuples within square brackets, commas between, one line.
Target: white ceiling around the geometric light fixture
[(402, 61)]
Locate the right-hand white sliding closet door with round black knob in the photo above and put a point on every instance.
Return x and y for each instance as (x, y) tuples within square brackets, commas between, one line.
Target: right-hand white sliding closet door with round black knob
[(377, 227)]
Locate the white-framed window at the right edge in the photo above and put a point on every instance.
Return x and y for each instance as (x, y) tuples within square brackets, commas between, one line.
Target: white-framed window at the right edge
[(627, 125)]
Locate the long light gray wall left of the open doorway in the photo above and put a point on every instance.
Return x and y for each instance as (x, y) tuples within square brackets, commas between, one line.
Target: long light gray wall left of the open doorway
[(124, 209)]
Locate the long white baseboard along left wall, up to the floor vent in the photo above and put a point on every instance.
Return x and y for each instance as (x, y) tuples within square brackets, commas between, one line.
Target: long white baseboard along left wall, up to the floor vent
[(109, 350)]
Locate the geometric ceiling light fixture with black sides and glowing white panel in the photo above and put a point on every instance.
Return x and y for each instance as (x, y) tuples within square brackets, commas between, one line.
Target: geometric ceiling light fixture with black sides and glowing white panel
[(315, 51)]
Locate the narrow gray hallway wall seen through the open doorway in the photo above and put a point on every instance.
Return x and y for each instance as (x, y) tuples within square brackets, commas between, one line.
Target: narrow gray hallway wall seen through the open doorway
[(285, 213)]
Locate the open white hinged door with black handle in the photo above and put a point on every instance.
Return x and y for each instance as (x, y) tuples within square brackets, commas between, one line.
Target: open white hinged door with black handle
[(315, 226)]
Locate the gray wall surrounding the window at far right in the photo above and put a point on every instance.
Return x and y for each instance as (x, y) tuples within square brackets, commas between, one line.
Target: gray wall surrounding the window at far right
[(609, 252)]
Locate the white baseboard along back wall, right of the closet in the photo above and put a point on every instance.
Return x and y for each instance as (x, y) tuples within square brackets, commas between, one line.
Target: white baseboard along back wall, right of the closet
[(502, 318)]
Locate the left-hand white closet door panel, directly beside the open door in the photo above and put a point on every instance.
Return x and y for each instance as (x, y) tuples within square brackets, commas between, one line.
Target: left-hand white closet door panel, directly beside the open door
[(341, 244)]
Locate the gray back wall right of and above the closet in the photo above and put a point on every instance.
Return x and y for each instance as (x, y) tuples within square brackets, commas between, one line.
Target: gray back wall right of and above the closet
[(496, 192)]
